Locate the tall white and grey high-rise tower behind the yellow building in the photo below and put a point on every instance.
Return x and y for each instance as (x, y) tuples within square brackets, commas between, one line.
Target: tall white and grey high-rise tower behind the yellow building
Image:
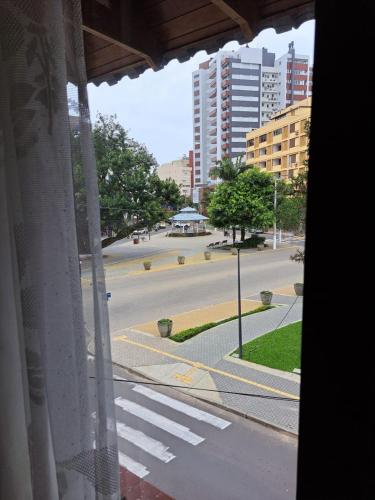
[(235, 92)]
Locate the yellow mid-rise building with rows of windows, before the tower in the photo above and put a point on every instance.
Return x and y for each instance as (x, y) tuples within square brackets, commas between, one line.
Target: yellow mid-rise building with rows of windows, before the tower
[(280, 147)]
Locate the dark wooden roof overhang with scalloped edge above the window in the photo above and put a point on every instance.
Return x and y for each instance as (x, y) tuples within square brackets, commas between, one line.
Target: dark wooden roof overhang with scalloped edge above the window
[(125, 37)]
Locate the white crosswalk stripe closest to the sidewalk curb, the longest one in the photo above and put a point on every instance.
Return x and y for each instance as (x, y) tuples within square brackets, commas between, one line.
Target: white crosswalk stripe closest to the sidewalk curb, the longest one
[(182, 407)]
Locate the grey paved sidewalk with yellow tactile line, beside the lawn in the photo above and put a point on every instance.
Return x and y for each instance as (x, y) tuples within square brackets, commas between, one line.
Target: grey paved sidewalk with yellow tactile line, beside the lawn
[(201, 366)]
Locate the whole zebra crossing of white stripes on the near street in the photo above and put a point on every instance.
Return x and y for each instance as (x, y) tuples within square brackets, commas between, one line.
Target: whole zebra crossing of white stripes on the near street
[(154, 448)]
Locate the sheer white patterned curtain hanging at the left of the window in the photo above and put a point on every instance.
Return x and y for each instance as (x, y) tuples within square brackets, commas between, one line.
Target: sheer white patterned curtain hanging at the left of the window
[(57, 421)]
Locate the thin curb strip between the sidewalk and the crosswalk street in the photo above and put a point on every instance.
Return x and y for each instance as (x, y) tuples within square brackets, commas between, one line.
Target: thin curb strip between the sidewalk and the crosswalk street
[(222, 406)]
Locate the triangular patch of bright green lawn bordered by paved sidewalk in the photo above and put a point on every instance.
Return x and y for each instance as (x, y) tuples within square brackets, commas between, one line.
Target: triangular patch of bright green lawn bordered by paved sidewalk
[(280, 349)]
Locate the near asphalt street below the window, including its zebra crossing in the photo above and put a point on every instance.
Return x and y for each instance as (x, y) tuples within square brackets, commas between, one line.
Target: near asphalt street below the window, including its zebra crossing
[(190, 449)]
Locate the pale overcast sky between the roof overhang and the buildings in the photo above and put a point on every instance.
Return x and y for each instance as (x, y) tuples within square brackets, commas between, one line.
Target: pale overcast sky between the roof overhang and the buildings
[(156, 107)]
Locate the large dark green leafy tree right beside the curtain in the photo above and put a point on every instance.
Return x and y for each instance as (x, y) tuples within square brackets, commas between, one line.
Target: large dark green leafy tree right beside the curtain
[(131, 194)]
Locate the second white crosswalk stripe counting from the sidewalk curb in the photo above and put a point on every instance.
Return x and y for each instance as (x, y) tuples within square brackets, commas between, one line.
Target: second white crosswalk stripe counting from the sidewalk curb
[(160, 421)]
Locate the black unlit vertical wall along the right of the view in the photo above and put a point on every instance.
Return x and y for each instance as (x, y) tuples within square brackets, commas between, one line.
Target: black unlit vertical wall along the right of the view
[(336, 446)]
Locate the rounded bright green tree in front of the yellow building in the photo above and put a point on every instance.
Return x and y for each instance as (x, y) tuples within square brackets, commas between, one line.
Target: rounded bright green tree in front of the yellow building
[(246, 202)]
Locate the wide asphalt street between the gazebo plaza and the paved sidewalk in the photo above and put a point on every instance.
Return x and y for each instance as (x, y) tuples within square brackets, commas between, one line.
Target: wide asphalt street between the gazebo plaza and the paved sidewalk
[(145, 297)]
